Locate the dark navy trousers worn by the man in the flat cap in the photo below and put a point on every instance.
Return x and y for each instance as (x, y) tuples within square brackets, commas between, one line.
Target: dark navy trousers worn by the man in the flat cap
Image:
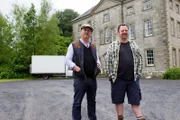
[(80, 88)]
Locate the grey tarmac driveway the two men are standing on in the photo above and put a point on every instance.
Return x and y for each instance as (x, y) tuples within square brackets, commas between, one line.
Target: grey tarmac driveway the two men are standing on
[(52, 100)]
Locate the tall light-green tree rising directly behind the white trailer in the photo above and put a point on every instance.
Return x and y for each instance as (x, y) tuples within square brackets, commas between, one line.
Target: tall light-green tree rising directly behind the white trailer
[(47, 34)]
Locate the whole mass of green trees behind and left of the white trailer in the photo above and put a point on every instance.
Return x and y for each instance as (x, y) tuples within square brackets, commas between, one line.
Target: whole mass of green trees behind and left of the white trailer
[(29, 33)]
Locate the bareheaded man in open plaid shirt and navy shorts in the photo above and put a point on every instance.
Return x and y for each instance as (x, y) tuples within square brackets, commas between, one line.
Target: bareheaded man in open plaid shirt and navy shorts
[(123, 65)]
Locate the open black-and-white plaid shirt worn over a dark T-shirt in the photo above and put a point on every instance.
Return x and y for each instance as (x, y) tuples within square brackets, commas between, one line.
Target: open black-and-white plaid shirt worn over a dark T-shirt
[(112, 60)]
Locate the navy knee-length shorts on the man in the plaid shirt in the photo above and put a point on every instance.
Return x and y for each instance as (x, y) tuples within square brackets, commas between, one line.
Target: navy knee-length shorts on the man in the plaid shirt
[(120, 87)]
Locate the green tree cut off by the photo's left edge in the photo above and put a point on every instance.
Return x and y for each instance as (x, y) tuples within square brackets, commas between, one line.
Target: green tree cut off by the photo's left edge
[(6, 47)]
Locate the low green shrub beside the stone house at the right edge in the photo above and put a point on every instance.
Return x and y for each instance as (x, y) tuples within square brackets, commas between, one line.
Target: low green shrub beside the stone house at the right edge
[(172, 73)]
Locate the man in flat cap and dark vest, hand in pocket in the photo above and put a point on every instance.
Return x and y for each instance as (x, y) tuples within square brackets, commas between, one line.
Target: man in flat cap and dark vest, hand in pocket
[(82, 58)]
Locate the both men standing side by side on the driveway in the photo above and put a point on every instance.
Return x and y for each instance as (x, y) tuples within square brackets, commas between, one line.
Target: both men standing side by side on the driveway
[(123, 65)]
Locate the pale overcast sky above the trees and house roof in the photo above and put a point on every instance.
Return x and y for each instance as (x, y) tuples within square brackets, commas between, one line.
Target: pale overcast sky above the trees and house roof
[(79, 6)]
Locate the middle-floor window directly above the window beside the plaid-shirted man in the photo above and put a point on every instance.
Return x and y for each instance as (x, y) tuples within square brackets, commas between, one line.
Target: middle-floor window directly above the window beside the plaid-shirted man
[(148, 28)]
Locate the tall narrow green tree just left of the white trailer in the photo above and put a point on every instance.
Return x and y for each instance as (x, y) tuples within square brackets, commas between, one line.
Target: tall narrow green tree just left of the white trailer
[(26, 42)]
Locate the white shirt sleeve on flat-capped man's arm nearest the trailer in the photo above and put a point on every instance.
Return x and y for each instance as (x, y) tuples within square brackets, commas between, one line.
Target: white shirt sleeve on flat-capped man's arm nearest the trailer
[(69, 57)]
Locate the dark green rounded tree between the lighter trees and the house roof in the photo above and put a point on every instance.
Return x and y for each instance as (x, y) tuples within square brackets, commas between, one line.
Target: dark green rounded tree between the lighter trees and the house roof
[(65, 25)]
